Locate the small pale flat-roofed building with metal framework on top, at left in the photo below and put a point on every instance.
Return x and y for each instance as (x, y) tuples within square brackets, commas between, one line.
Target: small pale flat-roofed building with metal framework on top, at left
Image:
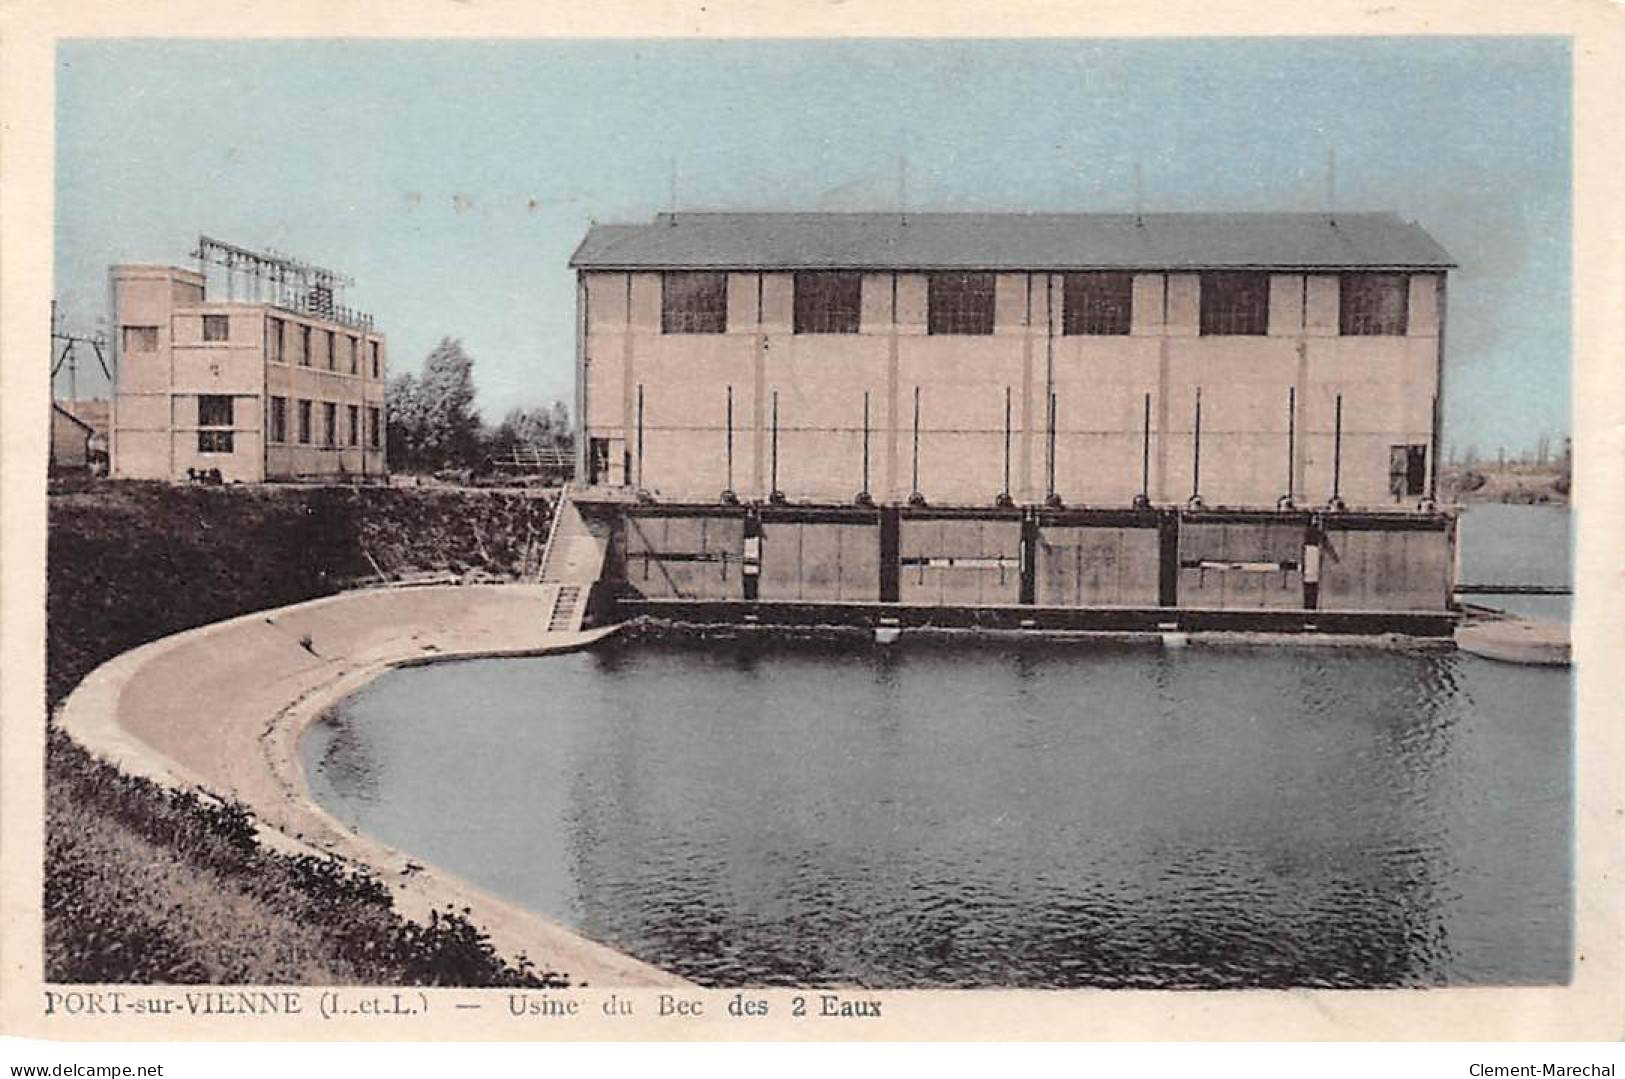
[(280, 383)]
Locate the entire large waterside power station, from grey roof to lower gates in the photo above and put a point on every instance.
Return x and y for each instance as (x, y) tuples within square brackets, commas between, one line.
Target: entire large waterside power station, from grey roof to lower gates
[(1119, 423)]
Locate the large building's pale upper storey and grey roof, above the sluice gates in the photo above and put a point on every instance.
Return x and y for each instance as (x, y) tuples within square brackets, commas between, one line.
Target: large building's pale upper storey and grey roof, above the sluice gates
[(966, 360)]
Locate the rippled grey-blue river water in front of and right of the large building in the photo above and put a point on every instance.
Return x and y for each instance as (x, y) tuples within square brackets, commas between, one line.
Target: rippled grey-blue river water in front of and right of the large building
[(1038, 815)]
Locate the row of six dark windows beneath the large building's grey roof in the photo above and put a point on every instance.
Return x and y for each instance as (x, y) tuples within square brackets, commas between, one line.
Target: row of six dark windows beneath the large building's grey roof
[(1096, 303)]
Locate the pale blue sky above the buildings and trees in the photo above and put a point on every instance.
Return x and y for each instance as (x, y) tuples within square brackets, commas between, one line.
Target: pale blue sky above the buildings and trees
[(454, 180)]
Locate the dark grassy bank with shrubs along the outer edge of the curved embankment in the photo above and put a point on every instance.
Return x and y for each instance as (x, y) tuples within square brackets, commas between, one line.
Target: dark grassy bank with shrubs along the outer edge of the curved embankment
[(145, 885)]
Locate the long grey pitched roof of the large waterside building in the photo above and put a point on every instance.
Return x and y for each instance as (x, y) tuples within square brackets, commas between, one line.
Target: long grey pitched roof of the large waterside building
[(1010, 241)]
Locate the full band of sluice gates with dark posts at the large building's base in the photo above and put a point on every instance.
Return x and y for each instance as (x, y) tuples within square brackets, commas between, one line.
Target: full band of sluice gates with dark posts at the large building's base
[(1153, 570)]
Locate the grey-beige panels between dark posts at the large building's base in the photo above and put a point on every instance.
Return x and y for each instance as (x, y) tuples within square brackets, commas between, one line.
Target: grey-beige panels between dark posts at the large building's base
[(1228, 561)]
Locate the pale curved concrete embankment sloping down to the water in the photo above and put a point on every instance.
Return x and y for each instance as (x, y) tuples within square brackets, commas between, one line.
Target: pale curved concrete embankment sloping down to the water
[(222, 709)]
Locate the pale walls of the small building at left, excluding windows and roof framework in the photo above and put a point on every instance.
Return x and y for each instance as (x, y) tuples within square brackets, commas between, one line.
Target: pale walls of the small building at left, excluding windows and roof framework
[(157, 407)]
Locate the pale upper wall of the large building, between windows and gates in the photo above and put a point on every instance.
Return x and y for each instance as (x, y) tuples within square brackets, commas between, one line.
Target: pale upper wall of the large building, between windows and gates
[(1101, 386)]
